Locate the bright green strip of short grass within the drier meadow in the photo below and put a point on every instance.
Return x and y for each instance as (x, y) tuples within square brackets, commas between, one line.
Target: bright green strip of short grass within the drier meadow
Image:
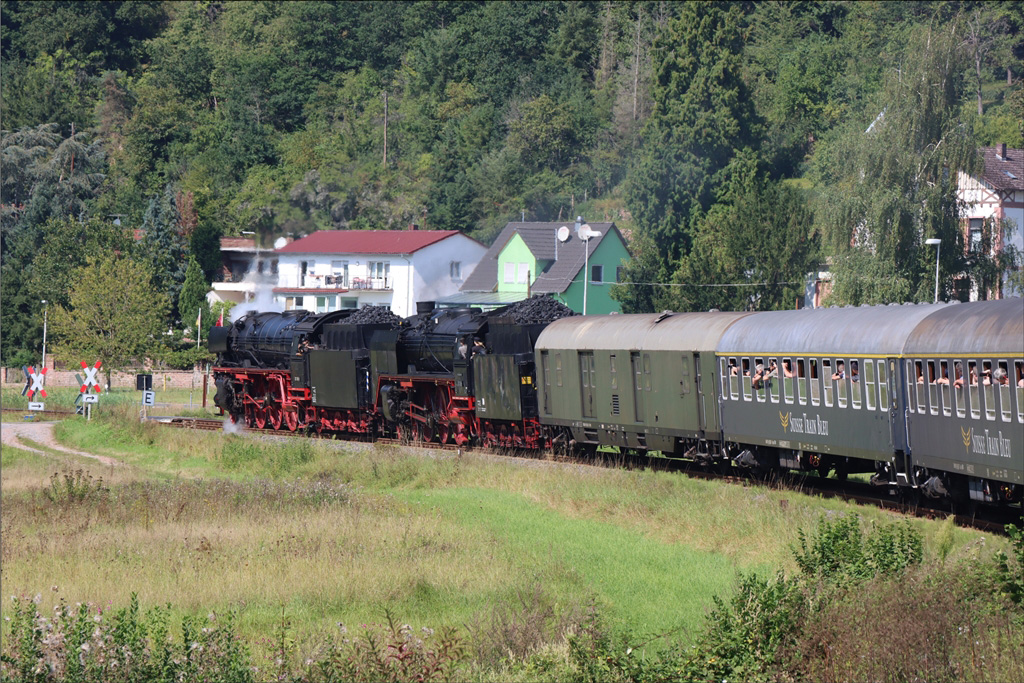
[(649, 585)]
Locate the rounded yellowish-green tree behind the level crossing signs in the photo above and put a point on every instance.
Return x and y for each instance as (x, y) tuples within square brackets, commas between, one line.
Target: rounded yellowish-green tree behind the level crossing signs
[(116, 315)]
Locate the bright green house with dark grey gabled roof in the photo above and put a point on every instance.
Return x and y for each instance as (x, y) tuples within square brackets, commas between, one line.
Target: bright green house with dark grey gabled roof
[(549, 259)]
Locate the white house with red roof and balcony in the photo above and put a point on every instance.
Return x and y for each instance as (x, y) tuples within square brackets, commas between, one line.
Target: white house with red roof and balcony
[(333, 270)]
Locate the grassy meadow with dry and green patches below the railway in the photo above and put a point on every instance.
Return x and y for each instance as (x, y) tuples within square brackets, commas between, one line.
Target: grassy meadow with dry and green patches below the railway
[(322, 533)]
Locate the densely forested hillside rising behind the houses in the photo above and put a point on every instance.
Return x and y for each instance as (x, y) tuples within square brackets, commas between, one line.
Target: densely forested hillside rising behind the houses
[(730, 141)]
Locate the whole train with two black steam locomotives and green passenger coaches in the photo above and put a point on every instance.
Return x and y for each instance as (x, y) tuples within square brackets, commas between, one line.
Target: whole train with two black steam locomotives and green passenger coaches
[(926, 398)]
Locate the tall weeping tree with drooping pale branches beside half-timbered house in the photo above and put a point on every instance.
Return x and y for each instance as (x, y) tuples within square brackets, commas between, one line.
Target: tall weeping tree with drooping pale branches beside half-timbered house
[(890, 188)]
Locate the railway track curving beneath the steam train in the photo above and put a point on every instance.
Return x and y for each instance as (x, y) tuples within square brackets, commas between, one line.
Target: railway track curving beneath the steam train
[(855, 492)]
